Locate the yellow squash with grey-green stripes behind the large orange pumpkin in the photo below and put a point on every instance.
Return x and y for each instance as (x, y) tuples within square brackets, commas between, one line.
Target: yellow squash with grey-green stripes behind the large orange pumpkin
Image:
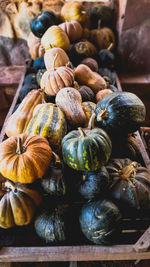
[(48, 121)]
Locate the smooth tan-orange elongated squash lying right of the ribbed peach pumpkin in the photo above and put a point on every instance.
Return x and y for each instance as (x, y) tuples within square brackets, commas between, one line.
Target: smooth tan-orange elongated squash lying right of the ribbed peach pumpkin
[(84, 75)]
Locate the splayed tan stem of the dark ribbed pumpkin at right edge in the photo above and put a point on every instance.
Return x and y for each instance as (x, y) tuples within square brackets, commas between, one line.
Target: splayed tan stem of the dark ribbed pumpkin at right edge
[(129, 171)]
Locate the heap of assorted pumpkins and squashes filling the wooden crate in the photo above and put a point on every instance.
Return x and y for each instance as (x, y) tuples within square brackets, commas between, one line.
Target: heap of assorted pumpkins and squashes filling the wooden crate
[(70, 139)]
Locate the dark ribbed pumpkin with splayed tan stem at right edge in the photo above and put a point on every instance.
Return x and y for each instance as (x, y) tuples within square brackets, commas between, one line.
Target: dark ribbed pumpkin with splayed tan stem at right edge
[(129, 183)]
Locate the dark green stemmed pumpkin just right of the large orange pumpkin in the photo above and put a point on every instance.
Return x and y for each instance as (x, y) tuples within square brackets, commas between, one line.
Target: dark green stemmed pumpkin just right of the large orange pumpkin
[(53, 182)]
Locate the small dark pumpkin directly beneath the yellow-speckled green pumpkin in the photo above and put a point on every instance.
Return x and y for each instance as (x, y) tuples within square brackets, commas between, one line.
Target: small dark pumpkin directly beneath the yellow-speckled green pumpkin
[(93, 183)]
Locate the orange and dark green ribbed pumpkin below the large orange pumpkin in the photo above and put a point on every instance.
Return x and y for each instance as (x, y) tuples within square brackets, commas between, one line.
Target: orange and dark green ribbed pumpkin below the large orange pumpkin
[(17, 205)]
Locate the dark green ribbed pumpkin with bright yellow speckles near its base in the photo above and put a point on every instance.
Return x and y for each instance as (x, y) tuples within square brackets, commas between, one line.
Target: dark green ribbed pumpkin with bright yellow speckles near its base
[(86, 150)]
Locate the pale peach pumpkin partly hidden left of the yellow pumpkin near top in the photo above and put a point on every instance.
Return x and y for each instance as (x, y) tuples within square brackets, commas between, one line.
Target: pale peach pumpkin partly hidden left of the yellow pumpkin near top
[(34, 45)]
